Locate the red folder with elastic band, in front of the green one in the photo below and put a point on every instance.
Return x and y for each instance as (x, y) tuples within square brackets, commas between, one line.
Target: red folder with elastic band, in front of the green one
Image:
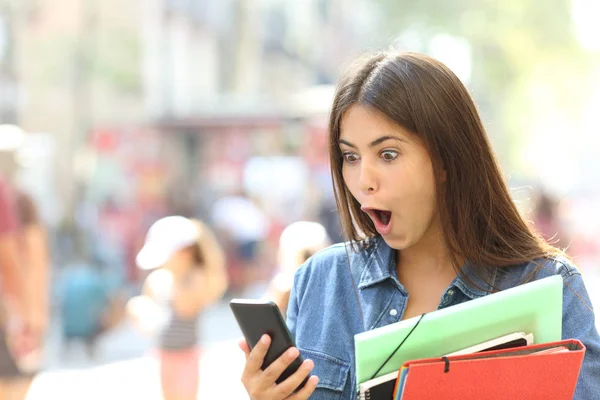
[(517, 373)]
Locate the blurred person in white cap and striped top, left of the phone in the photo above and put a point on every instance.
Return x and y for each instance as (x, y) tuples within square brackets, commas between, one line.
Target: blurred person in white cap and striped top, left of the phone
[(190, 275)]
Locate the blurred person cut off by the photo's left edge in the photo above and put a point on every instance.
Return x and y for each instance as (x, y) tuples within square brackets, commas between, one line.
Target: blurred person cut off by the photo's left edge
[(25, 277)]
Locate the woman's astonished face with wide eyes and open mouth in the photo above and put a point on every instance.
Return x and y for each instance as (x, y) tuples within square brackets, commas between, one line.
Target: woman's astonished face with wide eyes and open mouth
[(389, 172)]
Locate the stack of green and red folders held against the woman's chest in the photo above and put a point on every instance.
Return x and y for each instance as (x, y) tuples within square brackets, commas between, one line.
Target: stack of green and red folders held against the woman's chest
[(483, 348)]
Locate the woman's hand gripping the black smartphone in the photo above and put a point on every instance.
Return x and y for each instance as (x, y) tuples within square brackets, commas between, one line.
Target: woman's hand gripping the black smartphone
[(261, 385)]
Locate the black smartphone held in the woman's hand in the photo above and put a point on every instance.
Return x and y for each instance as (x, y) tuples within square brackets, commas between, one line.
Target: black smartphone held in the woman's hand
[(259, 317)]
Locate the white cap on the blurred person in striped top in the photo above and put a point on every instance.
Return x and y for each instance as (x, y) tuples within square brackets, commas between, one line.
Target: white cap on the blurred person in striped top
[(165, 237)]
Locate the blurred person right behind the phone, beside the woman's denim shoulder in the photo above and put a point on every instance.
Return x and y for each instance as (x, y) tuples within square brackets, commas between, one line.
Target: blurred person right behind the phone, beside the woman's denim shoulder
[(297, 243)]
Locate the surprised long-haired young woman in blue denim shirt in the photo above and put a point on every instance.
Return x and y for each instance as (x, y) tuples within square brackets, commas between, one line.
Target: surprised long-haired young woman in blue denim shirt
[(430, 221)]
